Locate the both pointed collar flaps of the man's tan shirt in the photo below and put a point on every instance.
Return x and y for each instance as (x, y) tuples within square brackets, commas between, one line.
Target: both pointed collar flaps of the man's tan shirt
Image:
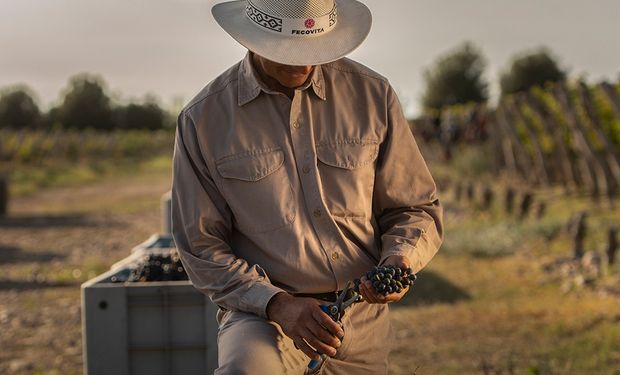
[(250, 84)]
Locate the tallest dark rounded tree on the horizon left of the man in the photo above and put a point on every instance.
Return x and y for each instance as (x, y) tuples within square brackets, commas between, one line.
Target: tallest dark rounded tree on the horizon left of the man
[(85, 104)]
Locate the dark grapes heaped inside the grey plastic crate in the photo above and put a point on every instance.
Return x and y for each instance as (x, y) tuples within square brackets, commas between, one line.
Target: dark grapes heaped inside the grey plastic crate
[(157, 267)]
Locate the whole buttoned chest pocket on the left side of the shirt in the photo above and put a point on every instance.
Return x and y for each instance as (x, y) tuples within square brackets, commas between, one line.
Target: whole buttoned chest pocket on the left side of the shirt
[(257, 189)]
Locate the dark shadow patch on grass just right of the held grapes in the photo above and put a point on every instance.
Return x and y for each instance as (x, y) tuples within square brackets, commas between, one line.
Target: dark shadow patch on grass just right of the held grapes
[(431, 288)]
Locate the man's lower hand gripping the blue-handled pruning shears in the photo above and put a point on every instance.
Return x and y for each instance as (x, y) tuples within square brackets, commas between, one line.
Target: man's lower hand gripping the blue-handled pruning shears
[(305, 323)]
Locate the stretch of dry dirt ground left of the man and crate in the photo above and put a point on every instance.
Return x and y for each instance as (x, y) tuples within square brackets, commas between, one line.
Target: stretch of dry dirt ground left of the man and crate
[(49, 244)]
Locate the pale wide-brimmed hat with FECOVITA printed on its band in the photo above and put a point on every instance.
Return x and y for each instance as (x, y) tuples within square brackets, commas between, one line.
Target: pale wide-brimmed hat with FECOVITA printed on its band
[(296, 32)]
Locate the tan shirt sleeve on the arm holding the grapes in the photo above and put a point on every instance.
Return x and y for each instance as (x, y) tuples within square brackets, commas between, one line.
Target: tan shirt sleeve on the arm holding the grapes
[(406, 205)]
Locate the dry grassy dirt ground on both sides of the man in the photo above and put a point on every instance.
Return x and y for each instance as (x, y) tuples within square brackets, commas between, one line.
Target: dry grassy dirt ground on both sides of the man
[(467, 315)]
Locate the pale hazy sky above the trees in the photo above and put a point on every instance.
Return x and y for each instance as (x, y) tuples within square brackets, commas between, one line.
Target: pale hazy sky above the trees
[(172, 48)]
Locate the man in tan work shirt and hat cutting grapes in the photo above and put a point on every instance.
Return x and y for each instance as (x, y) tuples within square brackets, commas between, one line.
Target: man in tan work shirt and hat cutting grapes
[(294, 172)]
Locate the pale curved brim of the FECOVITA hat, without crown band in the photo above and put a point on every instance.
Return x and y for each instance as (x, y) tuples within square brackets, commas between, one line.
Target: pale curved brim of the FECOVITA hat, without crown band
[(354, 22)]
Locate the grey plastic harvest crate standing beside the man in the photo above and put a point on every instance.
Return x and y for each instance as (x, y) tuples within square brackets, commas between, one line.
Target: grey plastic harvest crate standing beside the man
[(134, 328)]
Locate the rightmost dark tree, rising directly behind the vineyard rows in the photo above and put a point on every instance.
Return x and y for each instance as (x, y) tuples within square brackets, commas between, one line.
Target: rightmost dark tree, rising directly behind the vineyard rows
[(529, 69)]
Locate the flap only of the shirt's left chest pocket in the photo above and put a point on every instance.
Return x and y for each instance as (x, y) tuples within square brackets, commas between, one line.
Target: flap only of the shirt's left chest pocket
[(251, 166)]
